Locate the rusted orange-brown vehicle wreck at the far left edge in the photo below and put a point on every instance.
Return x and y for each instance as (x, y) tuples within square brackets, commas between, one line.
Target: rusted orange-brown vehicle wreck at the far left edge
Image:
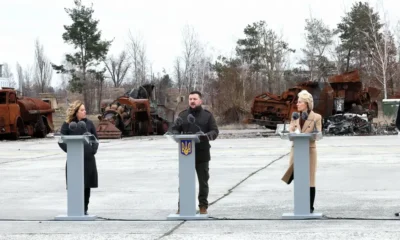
[(23, 116)]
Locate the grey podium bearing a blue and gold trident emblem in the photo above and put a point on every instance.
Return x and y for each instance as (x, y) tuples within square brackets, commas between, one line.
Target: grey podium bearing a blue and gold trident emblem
[(187, 177)]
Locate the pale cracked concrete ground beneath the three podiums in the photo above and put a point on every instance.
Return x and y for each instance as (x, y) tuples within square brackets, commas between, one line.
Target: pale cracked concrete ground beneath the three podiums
[(357, 190)]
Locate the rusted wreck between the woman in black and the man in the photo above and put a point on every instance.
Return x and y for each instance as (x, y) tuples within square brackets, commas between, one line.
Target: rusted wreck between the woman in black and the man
[(134, 114)]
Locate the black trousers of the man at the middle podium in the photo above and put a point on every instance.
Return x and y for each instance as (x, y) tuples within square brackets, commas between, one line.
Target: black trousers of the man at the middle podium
[(203, 175)]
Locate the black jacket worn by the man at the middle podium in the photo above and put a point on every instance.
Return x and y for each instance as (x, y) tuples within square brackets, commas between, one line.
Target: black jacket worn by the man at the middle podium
[(203, 120)]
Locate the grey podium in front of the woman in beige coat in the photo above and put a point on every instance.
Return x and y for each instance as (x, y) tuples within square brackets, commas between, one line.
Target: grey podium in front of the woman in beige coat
[(301, 181)]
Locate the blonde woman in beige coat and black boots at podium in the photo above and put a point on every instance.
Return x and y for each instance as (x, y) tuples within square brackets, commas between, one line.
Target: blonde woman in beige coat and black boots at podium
[(305, 104)]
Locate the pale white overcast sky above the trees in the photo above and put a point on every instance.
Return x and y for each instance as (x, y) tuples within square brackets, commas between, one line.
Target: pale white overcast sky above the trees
[(219, 23)]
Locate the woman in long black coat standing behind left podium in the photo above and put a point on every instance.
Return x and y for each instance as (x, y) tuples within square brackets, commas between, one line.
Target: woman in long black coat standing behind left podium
[(75, 113)]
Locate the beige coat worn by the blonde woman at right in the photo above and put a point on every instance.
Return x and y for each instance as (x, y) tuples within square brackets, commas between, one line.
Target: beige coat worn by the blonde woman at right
[(308, 127)]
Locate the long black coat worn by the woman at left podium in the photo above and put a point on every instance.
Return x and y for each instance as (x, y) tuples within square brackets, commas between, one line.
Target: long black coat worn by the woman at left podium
[(90, 150)]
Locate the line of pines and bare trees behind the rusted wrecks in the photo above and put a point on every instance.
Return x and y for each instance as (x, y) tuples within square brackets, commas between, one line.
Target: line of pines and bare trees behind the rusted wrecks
[(362, 40)]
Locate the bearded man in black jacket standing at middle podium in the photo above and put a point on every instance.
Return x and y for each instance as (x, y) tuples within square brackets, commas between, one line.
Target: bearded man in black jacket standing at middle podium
[(203, 121)]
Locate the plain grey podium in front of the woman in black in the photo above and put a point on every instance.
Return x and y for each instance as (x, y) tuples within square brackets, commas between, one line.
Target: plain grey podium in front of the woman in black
[(75, 177)]
